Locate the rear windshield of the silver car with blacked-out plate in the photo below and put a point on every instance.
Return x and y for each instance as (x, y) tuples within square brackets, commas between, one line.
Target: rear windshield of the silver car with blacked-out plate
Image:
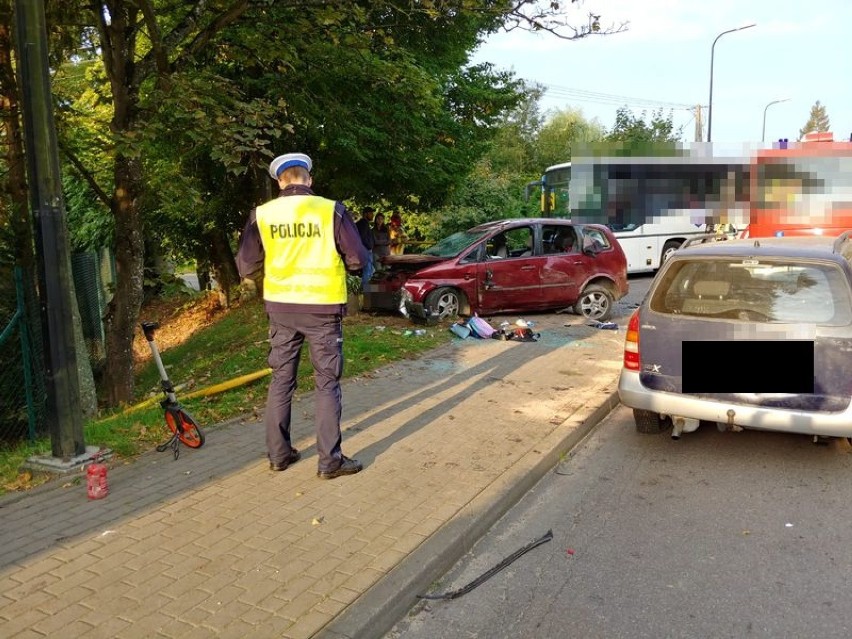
[(755, 290)]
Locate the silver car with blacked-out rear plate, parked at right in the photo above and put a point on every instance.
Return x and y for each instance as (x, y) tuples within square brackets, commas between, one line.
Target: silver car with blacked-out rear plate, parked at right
[(749, 334)]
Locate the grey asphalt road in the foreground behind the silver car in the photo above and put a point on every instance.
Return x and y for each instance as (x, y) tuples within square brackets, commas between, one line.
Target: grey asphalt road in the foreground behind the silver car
[(715, 535)]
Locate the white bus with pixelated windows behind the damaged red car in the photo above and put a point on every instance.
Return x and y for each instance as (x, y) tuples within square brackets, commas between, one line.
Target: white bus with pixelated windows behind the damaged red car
[(652, 204)]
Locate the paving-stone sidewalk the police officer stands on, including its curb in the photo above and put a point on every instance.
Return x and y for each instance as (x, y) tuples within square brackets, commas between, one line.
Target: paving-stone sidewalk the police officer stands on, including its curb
[(216, 545)]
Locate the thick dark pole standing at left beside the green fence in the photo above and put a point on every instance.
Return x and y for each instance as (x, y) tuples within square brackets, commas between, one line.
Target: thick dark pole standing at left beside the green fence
[(64, 416)]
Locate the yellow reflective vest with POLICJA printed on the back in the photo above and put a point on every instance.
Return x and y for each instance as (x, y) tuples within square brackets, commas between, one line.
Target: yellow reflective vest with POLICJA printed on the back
[(301, 263)]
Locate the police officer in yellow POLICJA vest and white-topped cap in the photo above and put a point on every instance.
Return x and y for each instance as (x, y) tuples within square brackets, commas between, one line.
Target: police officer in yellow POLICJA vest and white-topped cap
[(305, 244)]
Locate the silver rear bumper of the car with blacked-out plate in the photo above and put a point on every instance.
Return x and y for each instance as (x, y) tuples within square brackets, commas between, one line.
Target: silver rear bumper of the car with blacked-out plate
[(633, 394)]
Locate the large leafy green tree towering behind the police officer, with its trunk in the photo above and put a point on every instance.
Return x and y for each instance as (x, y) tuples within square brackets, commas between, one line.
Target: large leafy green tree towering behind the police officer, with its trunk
[(200, 95)]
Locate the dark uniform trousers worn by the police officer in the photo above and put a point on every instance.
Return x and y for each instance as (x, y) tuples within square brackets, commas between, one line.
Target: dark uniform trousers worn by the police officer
[(287, 333)]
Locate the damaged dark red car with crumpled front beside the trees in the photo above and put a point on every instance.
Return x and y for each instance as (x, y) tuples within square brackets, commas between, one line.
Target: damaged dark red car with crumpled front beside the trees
[(506, 266)]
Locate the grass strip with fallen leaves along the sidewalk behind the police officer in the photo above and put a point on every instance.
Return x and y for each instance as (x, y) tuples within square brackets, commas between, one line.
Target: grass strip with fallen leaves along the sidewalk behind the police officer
[(202, 348)]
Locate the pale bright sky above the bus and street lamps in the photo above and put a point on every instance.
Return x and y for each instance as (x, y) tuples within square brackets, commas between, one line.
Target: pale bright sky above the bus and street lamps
[(799, 49)]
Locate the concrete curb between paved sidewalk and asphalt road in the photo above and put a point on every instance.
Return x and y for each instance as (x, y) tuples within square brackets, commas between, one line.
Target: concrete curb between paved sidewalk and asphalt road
[(375, 612)]
